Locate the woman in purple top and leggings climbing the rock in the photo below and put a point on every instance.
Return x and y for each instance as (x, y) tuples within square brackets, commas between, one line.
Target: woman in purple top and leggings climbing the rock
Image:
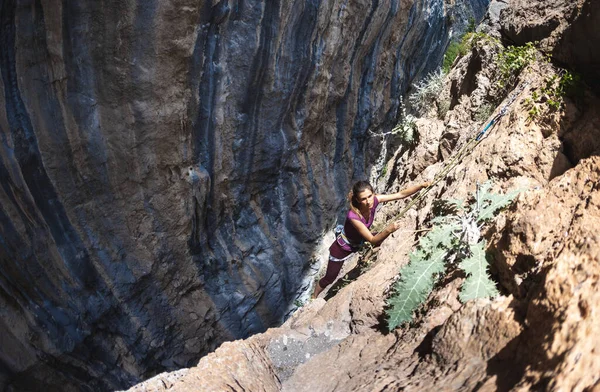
[(363, 203)]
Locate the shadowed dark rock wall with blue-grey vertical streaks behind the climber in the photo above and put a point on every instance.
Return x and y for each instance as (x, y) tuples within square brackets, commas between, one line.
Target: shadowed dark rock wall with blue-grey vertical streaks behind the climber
[(167, 168)]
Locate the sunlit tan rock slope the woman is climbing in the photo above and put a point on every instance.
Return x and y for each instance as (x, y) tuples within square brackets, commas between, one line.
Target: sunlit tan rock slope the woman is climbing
[(542, 333)]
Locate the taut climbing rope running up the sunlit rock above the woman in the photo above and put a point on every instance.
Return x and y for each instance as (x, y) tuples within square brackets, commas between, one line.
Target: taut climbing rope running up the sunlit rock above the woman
[(464, 151)]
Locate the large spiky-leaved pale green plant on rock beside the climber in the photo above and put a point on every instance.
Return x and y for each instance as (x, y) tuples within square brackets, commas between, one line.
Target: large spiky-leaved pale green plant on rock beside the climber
[(455, 237)]
